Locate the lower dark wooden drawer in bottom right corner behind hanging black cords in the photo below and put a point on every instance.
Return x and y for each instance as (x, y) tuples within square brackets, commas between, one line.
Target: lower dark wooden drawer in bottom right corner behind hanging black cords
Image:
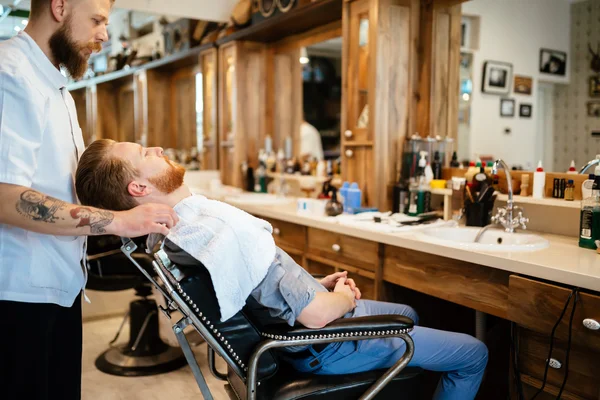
[(583, 366)]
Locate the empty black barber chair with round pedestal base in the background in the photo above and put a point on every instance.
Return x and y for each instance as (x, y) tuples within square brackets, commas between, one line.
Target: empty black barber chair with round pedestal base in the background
[(145, 353)]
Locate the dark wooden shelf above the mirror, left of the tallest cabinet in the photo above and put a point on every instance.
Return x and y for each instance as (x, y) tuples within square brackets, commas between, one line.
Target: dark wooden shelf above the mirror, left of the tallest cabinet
[(298, 20)]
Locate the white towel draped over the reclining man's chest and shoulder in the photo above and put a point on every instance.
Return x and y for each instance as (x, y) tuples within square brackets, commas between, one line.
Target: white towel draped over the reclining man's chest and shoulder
[(236, 248)]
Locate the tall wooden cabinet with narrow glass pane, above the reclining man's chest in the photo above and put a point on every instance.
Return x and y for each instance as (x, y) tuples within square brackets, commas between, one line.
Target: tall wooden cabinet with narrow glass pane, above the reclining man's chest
[(242, 91)]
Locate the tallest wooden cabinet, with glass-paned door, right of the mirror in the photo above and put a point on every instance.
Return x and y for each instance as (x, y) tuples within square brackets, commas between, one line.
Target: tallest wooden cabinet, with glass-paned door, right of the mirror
[(379, 65)]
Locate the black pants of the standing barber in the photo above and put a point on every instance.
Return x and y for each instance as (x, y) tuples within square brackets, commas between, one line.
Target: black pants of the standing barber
[(40, 351)]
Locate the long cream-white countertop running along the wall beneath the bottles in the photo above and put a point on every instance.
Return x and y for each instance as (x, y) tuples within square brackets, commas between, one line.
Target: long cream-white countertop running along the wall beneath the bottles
[(563, 261)]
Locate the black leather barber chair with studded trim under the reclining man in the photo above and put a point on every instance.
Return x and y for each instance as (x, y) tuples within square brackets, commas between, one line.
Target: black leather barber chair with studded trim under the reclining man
[(248, 343)]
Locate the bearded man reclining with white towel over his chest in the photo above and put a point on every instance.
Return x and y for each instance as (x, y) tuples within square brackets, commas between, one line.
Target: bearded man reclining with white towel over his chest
[(240, 254)]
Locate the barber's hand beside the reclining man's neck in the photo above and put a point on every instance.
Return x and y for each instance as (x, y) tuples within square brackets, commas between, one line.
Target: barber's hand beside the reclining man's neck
[(143, 220)]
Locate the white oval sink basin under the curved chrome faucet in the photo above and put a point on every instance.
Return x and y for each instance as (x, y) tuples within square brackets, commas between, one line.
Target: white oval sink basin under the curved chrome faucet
[(491, 240)]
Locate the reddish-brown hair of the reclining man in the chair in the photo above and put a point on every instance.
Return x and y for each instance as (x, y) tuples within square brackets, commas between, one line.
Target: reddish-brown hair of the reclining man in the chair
[(101, 180)]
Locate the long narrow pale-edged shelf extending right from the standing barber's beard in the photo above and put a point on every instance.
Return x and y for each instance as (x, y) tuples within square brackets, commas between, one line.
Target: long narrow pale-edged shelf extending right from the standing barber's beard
[(173, 61)]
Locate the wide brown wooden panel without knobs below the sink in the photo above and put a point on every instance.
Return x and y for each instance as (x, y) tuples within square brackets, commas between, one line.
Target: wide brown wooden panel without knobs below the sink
[(481, 288)]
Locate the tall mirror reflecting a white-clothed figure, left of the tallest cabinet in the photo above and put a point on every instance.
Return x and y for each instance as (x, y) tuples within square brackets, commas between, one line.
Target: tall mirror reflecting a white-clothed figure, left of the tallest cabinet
[(322, 94)]
